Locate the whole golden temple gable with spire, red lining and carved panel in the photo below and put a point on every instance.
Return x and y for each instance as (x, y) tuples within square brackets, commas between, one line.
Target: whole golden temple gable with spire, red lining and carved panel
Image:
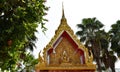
[(65, 53)]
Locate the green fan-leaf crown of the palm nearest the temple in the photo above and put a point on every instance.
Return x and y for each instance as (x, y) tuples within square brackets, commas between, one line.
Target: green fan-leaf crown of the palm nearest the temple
[(88, 28)]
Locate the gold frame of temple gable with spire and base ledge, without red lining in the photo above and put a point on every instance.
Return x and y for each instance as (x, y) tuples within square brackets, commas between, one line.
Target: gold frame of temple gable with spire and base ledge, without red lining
[(65, 27)]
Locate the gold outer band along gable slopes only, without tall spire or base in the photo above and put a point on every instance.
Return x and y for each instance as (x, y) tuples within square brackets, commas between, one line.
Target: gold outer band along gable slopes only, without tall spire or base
[(64, 27)]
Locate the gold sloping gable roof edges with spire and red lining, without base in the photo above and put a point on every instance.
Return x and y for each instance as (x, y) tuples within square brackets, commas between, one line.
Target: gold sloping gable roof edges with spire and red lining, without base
[(62, 29)]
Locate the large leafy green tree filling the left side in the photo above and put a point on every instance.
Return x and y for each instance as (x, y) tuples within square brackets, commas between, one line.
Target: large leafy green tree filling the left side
[(18, 22)]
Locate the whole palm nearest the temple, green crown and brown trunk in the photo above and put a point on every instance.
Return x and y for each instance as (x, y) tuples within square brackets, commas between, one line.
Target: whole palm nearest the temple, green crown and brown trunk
[(87, 33)]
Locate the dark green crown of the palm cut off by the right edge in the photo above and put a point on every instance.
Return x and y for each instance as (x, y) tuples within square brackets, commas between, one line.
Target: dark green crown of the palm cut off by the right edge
[(115, 37)]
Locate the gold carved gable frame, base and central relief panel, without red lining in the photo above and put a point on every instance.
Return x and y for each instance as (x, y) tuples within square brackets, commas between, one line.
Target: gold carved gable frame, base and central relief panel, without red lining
[(64, 55)]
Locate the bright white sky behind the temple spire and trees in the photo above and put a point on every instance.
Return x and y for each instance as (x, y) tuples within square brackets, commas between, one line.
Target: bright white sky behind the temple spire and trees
[(106, 11)]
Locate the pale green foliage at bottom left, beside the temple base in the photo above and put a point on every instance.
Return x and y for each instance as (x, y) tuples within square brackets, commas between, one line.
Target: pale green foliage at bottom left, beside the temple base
[(28, 64)]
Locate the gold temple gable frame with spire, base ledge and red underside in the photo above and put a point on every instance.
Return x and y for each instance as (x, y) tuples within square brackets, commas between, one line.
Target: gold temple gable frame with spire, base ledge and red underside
[(64, 30)]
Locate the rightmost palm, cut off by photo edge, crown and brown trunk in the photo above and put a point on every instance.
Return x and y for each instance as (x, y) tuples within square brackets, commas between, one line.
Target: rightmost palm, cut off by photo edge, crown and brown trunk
[(114, 40)]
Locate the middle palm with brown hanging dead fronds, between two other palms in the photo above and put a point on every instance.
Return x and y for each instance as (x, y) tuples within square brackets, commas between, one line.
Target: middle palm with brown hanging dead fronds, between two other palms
[(107, 56)]
